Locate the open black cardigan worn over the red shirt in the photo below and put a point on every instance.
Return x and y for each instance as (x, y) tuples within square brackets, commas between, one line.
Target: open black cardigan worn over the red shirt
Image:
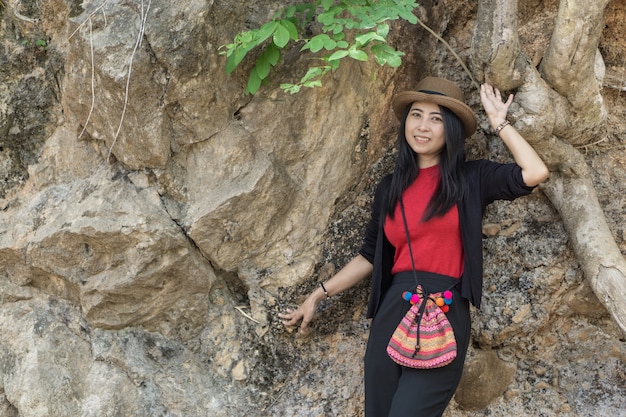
[(487, 181)]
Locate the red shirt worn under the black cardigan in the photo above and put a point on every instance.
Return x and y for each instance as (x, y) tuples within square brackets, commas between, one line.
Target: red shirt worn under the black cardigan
[(436, 244)]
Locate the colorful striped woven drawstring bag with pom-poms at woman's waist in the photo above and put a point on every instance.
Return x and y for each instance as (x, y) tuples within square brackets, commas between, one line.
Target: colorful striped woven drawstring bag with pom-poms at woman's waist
[(424, 339)]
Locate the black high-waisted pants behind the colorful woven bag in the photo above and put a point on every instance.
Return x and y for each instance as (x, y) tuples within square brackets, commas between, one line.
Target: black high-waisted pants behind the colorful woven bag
[(392, 390)]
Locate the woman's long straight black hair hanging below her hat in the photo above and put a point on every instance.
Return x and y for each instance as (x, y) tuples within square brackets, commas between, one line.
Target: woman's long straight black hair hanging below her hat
[(451, 186)]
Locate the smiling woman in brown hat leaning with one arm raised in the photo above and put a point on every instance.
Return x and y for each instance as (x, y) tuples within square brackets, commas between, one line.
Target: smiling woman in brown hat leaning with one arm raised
[(444, 198)]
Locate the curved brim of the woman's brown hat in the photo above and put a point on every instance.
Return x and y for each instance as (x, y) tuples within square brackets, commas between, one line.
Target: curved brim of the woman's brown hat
[(462, 110)]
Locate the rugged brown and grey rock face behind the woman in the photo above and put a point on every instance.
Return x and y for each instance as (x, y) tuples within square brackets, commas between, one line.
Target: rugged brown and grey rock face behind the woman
[(155, 220)]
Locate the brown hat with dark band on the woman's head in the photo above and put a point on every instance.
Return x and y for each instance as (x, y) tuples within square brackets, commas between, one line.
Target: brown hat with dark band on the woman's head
[(442, 92)]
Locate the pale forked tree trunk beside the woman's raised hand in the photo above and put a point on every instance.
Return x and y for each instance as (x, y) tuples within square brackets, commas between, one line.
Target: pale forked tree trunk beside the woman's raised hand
[(561, 105)]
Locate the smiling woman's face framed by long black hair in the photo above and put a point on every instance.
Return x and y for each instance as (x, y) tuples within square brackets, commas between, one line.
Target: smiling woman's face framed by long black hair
[(424, 132)]
